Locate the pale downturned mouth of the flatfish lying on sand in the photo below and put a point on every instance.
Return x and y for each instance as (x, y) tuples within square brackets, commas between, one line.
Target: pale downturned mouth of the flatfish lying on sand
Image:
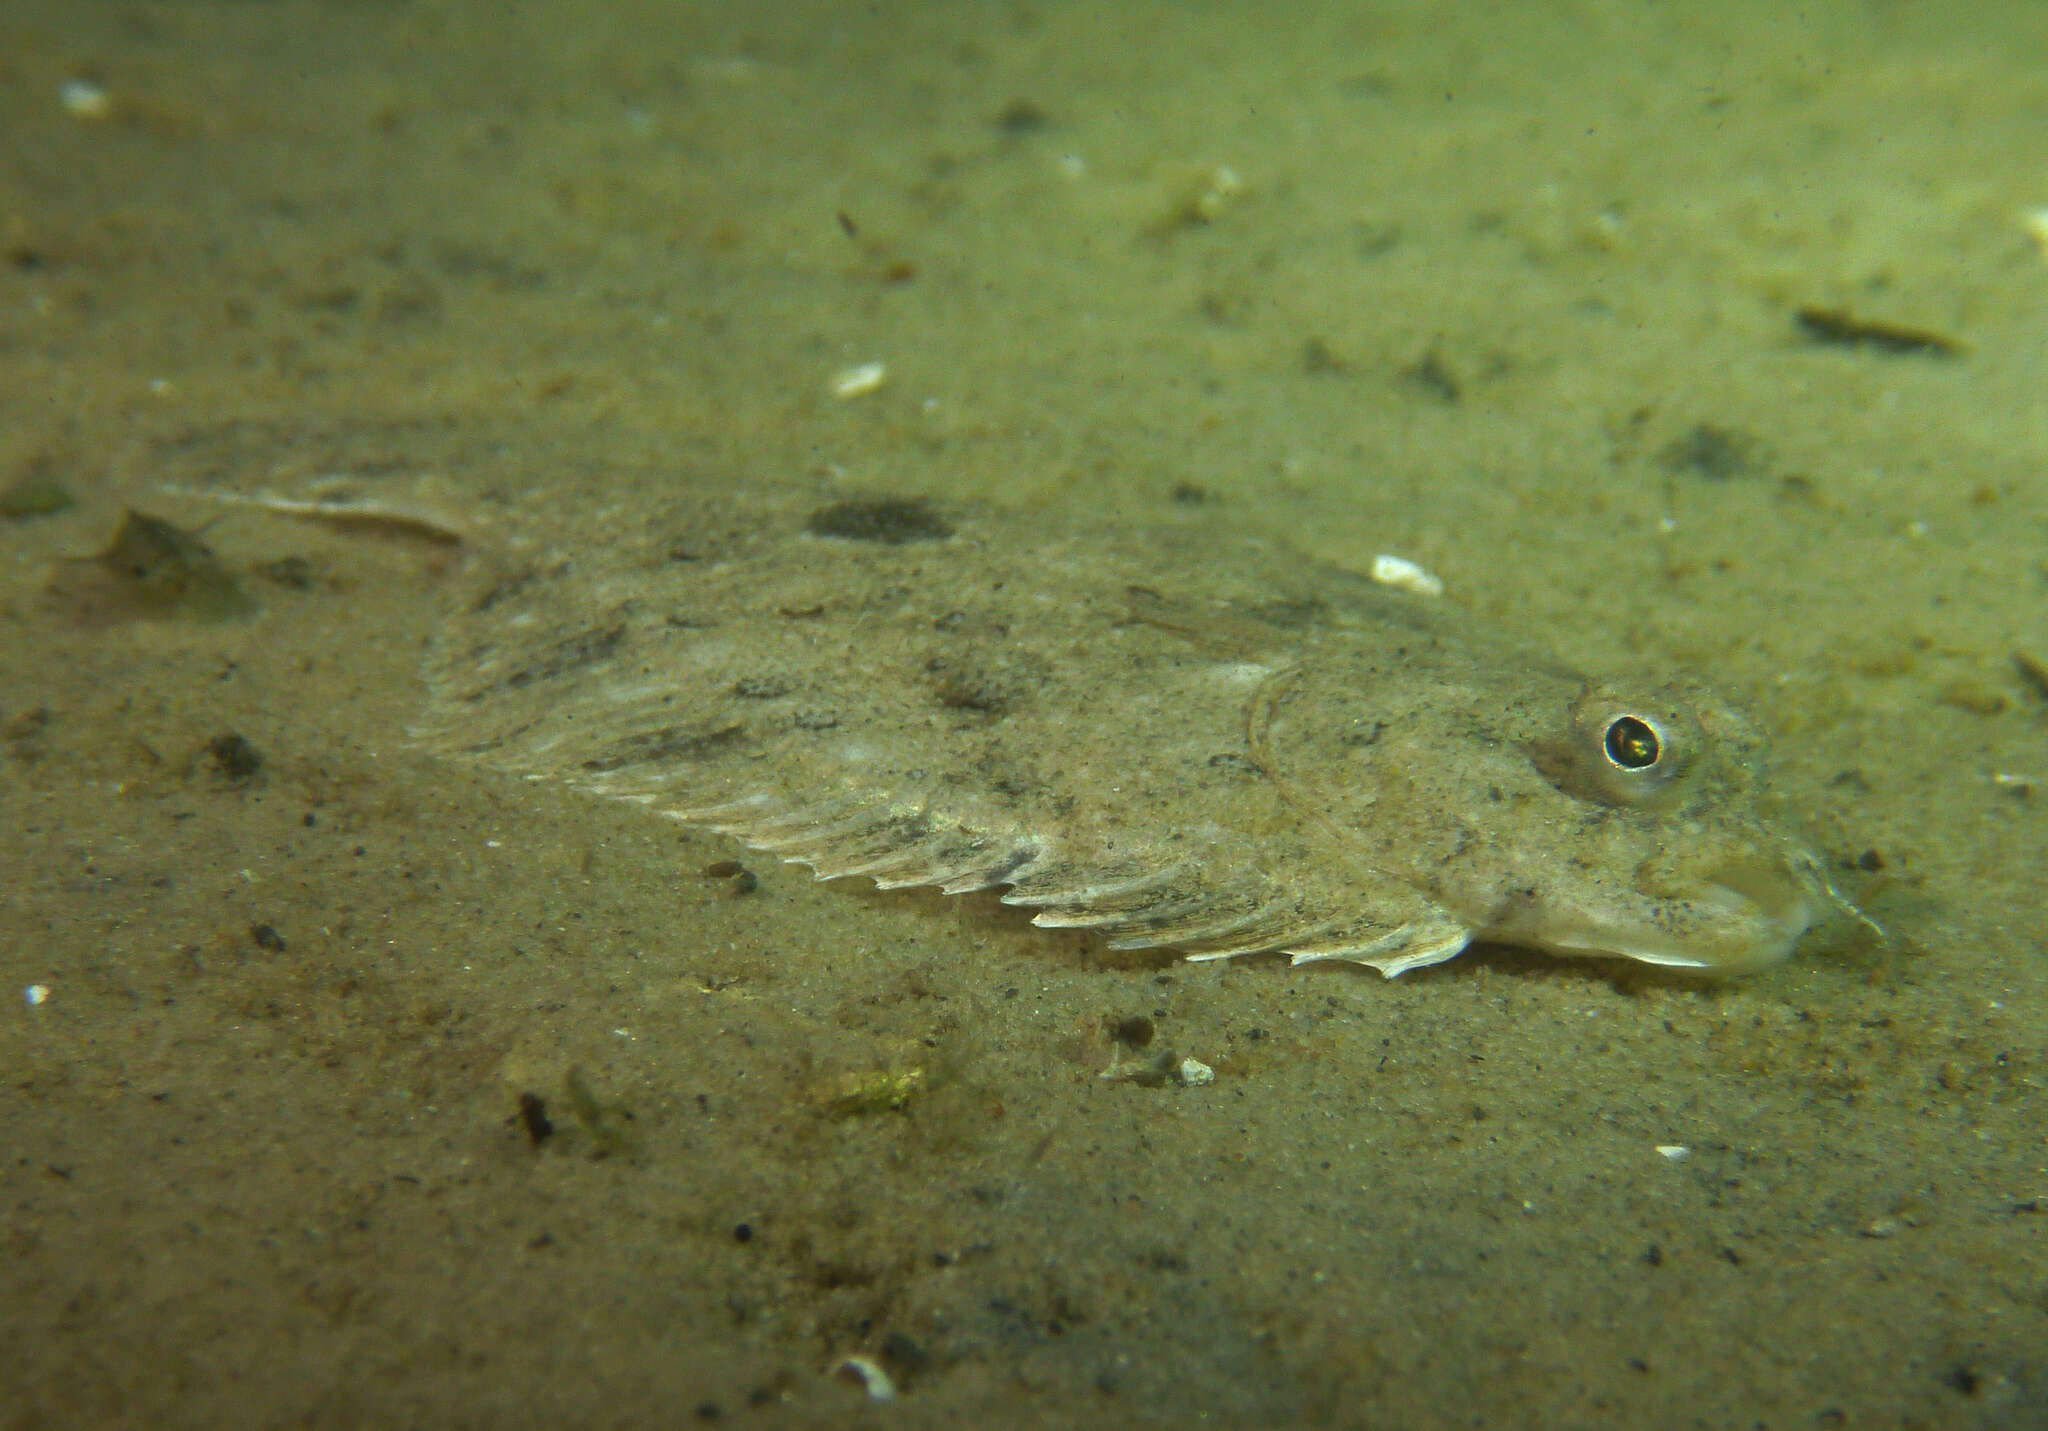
[(1734, 918)]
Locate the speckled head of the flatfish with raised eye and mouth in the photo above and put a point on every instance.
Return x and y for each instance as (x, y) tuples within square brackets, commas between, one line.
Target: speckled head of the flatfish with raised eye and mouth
[(1584, 820)]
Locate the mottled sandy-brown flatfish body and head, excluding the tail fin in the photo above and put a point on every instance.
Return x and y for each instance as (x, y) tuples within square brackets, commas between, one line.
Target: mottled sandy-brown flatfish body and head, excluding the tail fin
[(1170, 738)]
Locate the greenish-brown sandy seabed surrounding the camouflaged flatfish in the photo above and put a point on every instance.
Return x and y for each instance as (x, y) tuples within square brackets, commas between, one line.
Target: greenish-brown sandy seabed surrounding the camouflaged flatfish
[(1506, 290)]
